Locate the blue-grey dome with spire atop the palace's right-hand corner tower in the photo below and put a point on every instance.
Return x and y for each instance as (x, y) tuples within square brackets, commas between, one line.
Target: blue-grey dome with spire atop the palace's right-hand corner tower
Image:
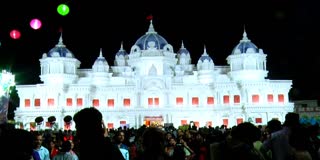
[(245, 46)]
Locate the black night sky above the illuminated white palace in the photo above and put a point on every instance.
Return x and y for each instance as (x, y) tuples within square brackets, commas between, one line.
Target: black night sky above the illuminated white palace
[(287, 31)]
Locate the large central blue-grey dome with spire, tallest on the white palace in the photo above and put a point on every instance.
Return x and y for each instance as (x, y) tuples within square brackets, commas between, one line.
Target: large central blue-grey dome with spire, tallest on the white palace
[(151, 39)]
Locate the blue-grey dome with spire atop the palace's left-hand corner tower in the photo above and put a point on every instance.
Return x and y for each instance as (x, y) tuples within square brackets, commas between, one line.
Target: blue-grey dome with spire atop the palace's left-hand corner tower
[(60, 50)]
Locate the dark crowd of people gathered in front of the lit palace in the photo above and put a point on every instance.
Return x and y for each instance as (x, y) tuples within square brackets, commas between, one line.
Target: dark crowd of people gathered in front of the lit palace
[(91, 140)]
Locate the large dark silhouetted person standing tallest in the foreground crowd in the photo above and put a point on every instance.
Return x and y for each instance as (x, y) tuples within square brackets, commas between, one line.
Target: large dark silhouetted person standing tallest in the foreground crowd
[(90, 132)]
